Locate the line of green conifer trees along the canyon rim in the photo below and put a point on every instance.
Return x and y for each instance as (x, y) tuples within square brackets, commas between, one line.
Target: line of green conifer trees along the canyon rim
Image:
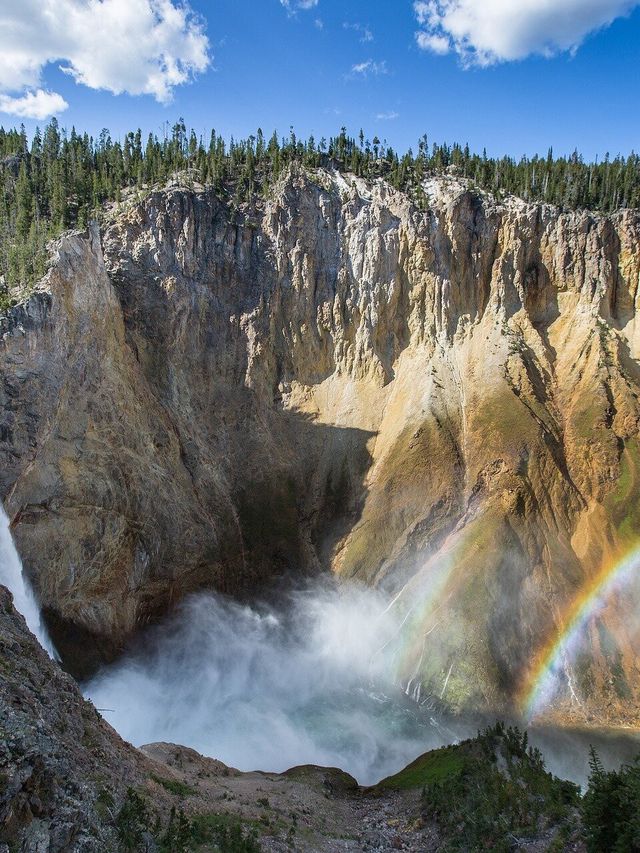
[(61, 179)]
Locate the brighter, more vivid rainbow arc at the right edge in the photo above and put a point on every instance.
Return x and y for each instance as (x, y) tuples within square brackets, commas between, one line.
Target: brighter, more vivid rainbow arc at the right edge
[(551, 662)]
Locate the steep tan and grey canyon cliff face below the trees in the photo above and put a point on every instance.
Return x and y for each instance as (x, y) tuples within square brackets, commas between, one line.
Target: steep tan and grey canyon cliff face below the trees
[(440, 403)]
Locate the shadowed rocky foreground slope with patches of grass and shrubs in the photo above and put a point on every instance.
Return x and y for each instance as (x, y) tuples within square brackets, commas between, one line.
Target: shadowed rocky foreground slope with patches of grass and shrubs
[(69, 783)]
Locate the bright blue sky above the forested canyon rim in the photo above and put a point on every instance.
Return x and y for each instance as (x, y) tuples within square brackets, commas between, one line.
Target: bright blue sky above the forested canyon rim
[(458, 70)]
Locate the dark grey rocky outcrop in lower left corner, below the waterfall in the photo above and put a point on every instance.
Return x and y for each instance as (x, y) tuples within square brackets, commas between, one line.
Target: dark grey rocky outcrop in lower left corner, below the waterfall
[(63, 771)]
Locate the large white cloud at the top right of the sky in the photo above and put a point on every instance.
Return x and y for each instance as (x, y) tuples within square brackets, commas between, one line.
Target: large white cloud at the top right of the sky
[(484, 32)]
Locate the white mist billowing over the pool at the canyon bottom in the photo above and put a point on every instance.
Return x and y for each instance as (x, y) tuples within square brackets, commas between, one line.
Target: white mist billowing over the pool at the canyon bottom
[(260, 689)]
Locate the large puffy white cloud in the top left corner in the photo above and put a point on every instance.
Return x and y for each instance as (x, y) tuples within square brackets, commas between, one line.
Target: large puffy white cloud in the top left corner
[(143, 47)]
